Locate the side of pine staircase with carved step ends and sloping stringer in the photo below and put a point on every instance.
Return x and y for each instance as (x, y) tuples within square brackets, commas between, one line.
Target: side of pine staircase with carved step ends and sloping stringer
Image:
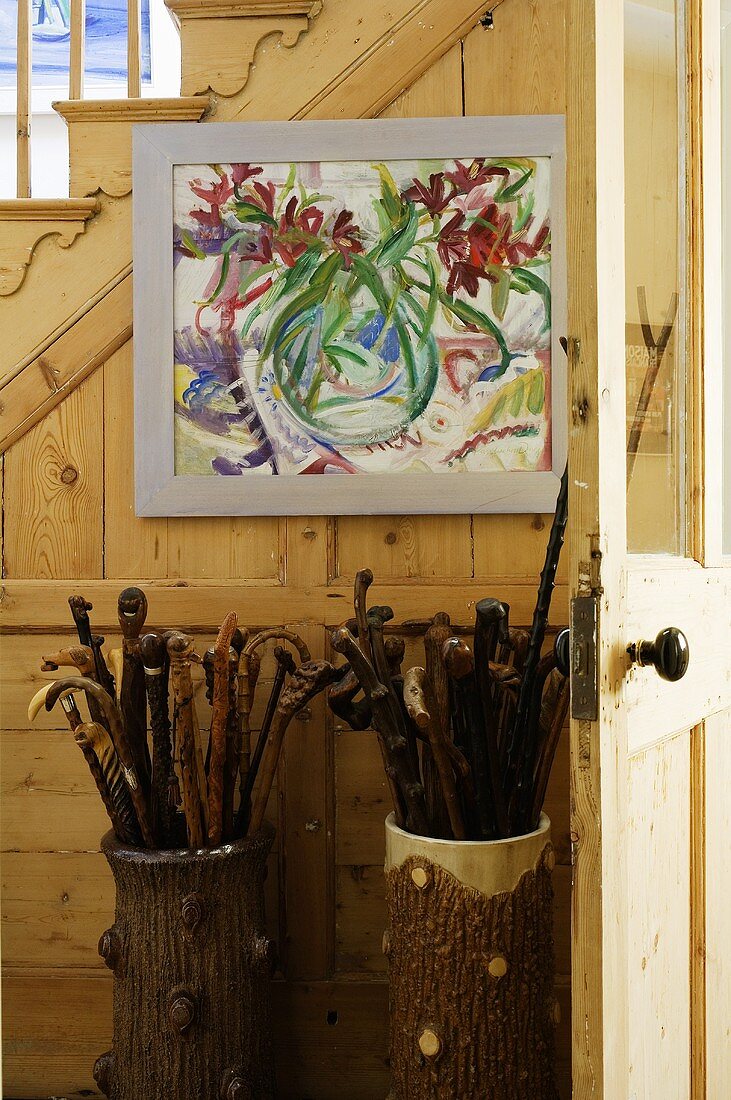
[(67, 265)]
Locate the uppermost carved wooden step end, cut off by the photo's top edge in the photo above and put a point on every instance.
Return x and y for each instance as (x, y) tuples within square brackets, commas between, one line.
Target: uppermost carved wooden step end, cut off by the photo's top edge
[(219, 38)]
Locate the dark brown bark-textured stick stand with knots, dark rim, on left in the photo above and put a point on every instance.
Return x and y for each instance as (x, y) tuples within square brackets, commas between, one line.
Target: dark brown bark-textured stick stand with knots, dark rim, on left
[(193, 971)]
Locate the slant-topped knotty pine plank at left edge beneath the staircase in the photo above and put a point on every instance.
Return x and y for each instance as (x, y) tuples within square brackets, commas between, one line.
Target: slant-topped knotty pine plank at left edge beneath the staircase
[(54, 492)]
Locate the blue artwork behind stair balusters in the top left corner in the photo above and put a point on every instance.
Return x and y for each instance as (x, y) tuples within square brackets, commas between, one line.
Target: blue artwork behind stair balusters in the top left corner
[(106, 42)]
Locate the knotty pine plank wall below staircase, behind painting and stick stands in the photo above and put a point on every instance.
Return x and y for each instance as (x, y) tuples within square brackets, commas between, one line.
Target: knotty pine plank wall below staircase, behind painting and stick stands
[(68, 497)]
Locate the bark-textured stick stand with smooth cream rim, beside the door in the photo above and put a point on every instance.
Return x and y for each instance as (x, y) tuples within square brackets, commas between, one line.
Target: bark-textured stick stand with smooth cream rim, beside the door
[(471, 966)]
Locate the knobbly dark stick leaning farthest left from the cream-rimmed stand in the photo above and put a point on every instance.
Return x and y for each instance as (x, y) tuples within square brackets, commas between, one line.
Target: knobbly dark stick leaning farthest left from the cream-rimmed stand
[(395, 749)]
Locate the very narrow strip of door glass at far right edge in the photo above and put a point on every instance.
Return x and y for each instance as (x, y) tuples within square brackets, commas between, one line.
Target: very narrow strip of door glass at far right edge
[(726, 183)]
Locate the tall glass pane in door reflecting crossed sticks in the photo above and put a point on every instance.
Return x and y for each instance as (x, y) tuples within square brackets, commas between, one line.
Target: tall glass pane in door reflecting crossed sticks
[(655, 178)]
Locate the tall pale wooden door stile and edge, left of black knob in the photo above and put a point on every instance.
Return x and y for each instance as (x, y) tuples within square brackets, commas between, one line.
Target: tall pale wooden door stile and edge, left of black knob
[(599, 540)]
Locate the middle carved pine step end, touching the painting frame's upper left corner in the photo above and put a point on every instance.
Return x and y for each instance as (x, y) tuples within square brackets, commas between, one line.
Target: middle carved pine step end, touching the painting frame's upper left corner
[(101, 137)]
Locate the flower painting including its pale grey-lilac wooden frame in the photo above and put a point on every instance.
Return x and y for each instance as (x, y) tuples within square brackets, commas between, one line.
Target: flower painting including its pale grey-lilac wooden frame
[(350, 317)]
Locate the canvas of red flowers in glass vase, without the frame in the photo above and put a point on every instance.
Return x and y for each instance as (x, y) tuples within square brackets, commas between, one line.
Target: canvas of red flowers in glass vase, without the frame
[(363, 317)]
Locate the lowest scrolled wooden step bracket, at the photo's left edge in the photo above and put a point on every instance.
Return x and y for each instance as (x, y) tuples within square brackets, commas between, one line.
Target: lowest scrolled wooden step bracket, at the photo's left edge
[(27, 222)]
